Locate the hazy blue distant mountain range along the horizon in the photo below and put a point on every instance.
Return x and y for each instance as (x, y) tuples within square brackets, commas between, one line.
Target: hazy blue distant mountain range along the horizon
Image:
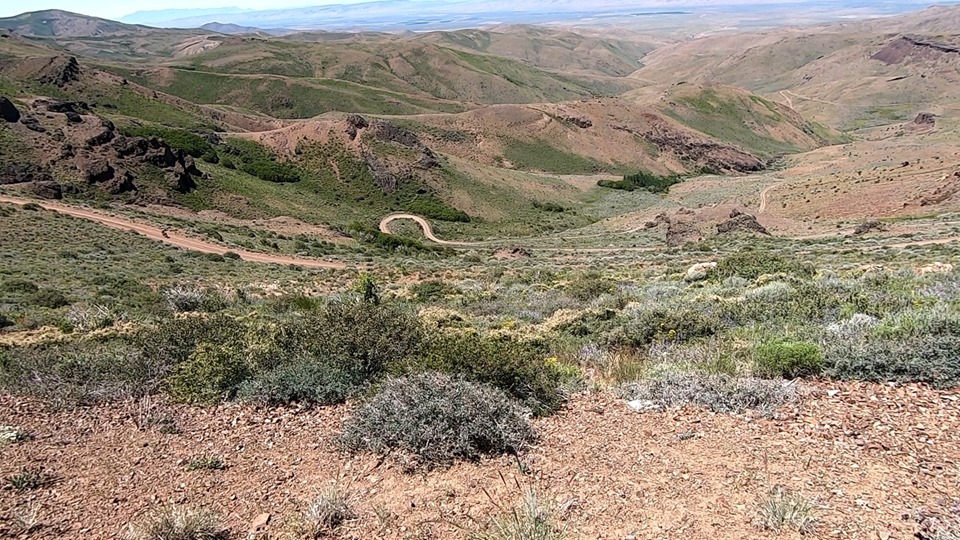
[(446, 14)]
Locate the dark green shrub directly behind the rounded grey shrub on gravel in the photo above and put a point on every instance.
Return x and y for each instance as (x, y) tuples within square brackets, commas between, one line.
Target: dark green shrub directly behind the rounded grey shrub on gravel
[(519, 369)]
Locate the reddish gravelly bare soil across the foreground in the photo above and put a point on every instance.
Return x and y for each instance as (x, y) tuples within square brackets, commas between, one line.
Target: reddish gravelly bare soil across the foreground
[(870, 454)]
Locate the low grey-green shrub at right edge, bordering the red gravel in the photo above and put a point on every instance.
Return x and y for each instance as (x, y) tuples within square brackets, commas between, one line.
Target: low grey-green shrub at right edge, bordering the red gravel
[(931, 359)]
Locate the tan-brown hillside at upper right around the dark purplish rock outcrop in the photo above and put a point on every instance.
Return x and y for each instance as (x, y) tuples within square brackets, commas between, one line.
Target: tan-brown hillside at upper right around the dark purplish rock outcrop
[(826, 72)]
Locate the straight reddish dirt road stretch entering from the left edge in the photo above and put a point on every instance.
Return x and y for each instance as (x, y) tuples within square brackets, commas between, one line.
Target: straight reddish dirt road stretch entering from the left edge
[(170, 236)]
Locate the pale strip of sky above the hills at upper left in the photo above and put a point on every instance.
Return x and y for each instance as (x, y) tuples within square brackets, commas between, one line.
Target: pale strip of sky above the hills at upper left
[(114, 9)]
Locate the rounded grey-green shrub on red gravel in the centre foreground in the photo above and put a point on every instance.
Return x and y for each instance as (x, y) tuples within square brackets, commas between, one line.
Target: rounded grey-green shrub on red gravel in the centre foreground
[(436, 419)]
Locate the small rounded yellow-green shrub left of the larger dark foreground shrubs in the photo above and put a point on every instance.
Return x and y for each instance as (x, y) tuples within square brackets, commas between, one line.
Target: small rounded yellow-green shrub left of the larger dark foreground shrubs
[(213, 372)]
